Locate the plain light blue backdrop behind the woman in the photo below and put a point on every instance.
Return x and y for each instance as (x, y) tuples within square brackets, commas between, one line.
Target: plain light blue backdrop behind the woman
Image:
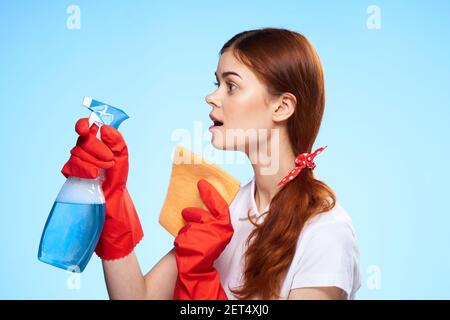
[(386, 122)]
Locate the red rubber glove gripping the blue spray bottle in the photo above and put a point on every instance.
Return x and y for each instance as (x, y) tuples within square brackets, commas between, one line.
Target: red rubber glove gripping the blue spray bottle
[(122, 230)]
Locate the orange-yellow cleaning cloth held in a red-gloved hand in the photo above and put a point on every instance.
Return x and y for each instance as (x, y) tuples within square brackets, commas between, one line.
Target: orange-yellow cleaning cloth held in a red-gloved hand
[(187, 169)]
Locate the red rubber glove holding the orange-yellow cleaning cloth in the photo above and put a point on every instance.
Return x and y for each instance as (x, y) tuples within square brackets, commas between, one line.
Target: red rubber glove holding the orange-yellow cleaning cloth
[(199, 243)]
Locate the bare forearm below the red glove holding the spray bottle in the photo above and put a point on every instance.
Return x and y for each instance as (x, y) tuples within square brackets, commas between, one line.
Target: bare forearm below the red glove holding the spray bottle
[(124, 278)]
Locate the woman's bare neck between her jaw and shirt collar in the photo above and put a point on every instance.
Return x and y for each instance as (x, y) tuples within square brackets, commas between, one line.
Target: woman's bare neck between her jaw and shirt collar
[(270, 167)]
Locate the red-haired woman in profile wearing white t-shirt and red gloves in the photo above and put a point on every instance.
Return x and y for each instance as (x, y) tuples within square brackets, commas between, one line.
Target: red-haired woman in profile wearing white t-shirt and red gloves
[(284, 236)]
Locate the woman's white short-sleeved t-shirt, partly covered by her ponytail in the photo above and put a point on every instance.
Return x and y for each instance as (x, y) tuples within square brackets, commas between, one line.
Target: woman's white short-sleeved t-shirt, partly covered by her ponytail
[(327, 251)]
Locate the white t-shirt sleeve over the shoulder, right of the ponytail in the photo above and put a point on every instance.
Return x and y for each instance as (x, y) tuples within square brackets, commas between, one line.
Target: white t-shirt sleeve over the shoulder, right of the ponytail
[(327, 253)]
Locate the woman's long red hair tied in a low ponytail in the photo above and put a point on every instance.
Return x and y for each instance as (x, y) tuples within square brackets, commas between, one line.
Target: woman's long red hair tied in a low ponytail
[(286, 62)]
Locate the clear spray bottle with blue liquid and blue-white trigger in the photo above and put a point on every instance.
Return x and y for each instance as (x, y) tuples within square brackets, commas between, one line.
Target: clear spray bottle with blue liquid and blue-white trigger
[(76, 219)]
